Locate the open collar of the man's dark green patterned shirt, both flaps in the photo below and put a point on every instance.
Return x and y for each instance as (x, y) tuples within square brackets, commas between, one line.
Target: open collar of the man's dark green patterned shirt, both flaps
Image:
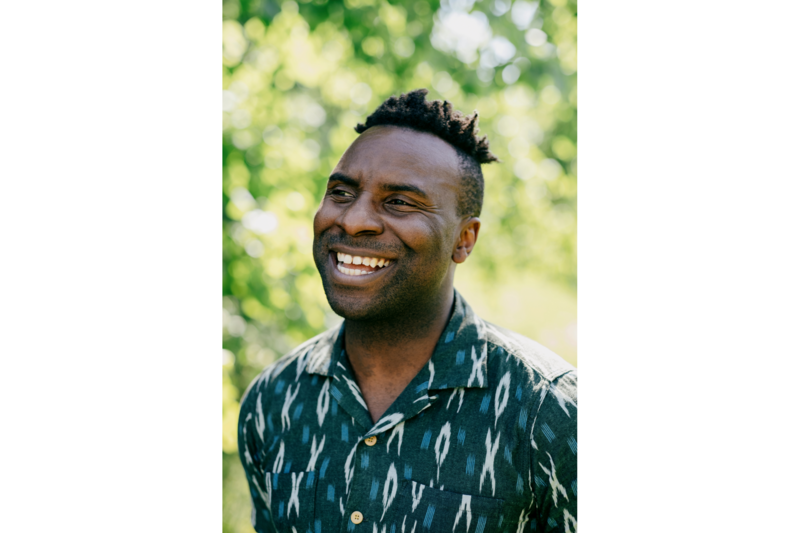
[(459, 359)]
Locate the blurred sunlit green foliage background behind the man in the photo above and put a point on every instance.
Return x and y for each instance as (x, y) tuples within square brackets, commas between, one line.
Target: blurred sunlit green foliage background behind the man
[(298, 77)]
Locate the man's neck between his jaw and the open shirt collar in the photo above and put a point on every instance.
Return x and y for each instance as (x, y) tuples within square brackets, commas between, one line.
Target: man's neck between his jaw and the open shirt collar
[(397, 349)]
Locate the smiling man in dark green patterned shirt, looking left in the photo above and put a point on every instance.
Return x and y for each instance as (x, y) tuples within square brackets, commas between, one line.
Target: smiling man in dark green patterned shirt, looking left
[(415, 415)]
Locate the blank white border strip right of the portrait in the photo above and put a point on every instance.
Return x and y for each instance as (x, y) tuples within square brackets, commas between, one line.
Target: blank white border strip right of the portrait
[(688, 266)]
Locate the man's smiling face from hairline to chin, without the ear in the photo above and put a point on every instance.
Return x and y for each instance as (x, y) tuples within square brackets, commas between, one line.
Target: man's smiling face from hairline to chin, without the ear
[(392, 200)]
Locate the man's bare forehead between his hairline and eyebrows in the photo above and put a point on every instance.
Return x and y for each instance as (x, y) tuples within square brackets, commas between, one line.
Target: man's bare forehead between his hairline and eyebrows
[(392, 152)]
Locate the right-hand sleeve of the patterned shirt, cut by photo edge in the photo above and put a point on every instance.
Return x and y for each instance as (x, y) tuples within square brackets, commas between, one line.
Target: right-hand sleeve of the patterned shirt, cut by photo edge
[(555, 457)]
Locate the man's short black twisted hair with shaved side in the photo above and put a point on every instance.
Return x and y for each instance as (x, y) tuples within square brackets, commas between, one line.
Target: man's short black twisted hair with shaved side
[(411, 110)]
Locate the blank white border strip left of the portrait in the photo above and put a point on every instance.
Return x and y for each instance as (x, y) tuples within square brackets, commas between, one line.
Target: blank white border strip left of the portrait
[(111, 266)]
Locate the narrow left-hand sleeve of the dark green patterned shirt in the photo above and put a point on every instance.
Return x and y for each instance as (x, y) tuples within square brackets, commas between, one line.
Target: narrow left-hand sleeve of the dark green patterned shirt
[(251, 459)]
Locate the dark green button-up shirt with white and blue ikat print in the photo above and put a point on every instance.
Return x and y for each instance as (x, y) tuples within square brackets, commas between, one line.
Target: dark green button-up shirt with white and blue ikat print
[(483, 440)]
